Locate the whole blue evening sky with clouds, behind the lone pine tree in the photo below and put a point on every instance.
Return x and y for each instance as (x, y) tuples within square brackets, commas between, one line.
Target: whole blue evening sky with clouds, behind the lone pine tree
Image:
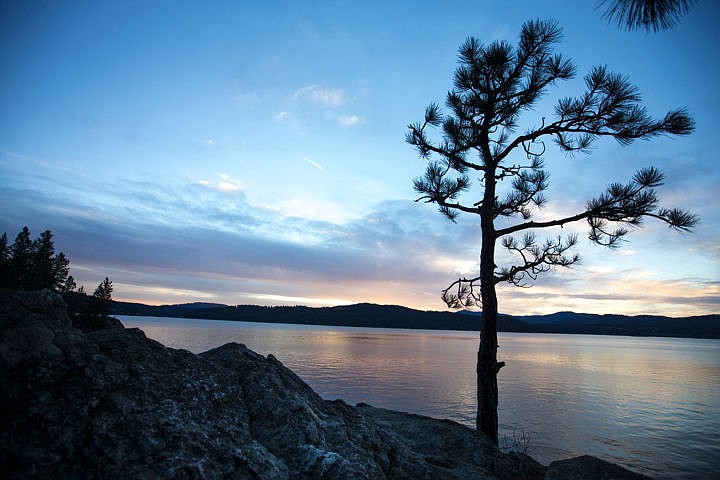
[(234, 153)]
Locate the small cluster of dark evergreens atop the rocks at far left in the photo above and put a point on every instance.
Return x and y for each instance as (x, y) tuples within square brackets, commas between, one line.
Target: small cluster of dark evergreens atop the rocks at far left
[(33, 265)]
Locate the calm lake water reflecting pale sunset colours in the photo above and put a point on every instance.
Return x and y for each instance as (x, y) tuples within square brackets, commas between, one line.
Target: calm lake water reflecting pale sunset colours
[(650, 404)]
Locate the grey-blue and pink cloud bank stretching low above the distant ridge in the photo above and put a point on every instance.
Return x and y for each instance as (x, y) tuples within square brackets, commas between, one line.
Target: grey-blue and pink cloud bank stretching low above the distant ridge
[(169, 243)]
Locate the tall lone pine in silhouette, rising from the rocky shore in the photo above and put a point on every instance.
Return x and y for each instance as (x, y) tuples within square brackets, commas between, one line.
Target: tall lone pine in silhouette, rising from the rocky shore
[(493, 85)]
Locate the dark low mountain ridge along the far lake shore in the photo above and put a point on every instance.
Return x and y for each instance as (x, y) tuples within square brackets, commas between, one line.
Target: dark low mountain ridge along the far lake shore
[(393, 316)]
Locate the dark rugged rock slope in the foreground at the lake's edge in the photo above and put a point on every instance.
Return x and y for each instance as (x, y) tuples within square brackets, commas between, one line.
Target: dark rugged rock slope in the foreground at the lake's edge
[(95, 400)]
